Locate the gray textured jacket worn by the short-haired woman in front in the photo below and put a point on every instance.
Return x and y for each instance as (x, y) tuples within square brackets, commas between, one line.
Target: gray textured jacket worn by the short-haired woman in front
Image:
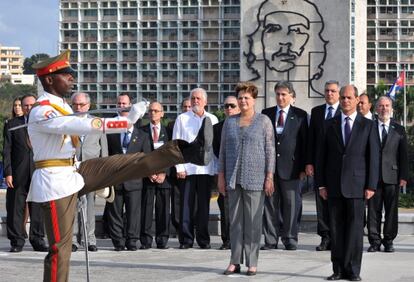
[(253, 152)]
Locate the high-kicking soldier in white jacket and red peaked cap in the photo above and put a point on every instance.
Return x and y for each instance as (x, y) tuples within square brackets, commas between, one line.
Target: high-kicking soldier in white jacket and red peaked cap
[(58, 179)]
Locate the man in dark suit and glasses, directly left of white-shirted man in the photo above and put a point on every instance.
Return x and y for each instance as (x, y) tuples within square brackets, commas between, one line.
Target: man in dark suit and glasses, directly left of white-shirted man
[(156, 185)]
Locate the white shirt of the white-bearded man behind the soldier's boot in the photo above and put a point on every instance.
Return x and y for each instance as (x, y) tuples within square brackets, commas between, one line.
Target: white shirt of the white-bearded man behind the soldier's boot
[(186, 128)]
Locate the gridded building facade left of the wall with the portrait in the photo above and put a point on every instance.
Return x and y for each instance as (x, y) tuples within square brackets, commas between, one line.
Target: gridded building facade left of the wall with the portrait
[(153, 49)]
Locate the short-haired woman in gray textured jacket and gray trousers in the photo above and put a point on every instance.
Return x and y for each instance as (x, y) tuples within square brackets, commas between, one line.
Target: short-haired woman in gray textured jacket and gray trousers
[(246, 168)]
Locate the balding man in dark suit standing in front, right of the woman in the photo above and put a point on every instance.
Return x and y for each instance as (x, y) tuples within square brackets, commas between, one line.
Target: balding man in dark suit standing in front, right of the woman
[(346, 173)]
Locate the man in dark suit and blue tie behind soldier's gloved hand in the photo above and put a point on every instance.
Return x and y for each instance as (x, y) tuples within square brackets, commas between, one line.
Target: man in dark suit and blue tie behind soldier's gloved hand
[(127, 194)]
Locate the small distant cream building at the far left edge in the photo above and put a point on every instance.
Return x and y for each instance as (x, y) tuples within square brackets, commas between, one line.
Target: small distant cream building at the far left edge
[(11, 61)]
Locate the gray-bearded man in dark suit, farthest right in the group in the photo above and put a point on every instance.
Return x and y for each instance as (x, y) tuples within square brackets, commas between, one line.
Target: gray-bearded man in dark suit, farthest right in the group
[(393, 174)]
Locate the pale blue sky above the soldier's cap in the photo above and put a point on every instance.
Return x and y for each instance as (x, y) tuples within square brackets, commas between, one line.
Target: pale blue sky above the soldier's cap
[(30, 24)]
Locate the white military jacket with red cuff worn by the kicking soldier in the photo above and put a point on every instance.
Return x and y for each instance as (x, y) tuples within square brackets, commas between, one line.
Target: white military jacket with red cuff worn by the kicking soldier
[(50, 139)]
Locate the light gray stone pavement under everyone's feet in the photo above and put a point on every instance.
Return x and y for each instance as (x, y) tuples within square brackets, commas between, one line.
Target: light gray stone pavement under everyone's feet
[(174, 264)]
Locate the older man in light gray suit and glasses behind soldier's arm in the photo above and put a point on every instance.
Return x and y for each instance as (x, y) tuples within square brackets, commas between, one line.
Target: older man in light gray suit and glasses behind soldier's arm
[(92, 146)]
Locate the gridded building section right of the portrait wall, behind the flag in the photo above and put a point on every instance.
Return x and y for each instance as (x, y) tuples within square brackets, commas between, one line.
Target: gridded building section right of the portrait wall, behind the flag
[(390, 41)]
